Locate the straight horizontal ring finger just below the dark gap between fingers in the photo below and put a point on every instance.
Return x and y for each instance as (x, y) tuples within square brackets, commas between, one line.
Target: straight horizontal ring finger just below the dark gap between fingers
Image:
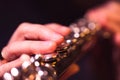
[(15, 49)]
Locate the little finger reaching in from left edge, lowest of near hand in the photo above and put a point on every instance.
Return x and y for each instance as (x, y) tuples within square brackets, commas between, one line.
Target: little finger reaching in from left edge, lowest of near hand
[(16, 63)]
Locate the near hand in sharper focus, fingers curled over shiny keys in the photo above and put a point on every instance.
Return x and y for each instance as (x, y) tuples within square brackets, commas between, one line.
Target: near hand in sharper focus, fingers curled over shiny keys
[(31, 39)]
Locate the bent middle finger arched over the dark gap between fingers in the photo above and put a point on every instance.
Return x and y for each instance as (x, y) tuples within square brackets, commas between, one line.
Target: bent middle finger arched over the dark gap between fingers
[(27, 31)]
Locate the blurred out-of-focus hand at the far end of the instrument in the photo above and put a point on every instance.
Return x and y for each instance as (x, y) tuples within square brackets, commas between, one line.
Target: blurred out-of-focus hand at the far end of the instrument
[(108, 15)]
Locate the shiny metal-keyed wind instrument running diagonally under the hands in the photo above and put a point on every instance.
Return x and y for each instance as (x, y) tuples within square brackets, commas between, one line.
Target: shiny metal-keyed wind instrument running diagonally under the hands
[(52, 66)]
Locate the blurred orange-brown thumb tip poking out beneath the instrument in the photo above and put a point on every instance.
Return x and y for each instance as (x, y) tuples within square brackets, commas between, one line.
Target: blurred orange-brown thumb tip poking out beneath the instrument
[(74, 68)]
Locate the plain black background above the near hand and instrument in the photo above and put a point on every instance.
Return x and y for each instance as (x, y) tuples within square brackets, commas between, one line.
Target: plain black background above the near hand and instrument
[(14, 12)]
